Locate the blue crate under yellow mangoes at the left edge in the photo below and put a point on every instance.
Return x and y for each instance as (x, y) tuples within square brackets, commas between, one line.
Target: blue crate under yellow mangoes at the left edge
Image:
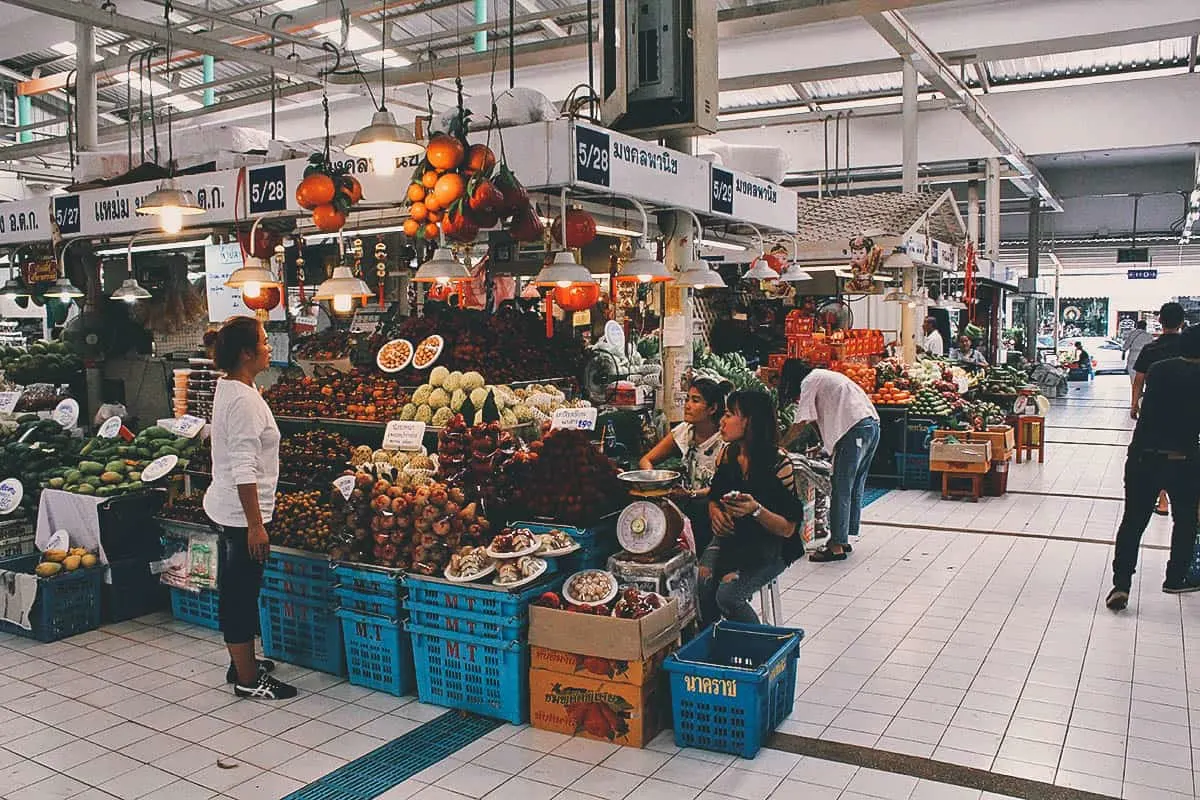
[(68, 604)]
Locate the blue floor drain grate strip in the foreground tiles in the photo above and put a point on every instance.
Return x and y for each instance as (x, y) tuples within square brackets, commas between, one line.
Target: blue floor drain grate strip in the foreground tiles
[(399, 760)]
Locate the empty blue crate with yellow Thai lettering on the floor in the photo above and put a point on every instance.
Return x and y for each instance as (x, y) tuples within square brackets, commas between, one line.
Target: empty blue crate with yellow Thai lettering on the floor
[(733, 685)]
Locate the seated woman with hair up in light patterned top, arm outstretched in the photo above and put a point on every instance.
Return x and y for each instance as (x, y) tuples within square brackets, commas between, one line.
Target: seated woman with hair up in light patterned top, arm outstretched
[(698, 442)]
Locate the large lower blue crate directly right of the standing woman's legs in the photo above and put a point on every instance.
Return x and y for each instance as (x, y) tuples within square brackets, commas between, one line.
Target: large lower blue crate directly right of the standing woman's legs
[(302, 633)]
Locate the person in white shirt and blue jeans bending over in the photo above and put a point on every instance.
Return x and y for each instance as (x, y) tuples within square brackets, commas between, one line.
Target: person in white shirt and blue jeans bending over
[(850, 432)]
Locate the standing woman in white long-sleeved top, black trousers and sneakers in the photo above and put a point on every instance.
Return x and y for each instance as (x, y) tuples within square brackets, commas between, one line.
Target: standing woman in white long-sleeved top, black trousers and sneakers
[(242, 498)]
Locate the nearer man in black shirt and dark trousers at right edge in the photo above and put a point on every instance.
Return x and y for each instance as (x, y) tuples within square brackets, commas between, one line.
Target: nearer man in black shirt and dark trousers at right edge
[(1165, 455)]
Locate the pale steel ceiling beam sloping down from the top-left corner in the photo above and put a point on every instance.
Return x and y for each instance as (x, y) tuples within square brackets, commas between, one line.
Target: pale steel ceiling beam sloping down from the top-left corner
[(158, 33)]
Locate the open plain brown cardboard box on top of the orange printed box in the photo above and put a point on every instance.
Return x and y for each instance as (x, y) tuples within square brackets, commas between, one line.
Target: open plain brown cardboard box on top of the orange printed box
[(607, 637)]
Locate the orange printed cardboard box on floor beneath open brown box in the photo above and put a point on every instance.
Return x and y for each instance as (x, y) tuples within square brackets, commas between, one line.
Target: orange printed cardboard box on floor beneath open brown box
[(596, 708)]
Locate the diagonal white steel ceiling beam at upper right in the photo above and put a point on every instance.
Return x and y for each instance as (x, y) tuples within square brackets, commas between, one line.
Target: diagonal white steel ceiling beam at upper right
[(905, 41)]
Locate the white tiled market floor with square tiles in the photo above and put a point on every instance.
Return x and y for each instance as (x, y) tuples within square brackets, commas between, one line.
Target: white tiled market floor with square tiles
[(945, 636)]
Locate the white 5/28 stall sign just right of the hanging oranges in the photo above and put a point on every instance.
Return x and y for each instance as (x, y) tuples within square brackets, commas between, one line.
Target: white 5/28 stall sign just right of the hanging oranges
[(623, 165)]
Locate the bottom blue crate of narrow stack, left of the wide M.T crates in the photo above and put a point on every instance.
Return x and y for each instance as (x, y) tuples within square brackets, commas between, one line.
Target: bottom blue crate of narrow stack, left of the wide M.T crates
[(379, 653)]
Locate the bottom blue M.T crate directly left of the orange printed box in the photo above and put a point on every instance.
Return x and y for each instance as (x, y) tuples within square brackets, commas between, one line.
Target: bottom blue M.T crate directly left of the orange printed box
[(472, 675)]
